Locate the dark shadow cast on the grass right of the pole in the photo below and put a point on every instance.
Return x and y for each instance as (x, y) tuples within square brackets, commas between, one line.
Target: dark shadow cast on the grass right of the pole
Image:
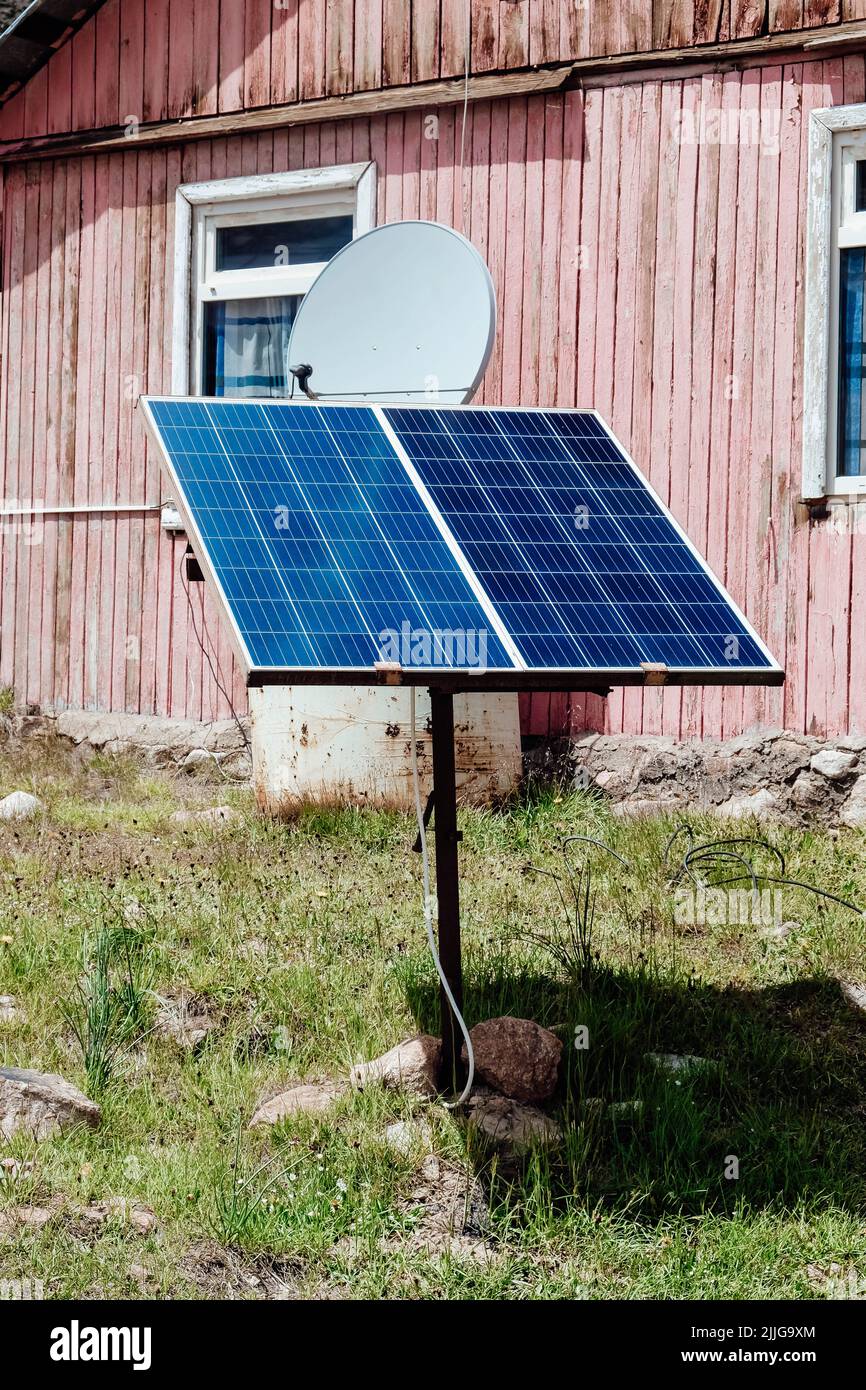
[(775, 1121)]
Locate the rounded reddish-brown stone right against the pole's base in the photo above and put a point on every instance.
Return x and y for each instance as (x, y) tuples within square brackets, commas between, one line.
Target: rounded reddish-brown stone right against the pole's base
[(516, 1057)]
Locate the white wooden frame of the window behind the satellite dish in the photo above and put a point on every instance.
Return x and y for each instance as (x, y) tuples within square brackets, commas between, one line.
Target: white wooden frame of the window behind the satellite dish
[(202, 208)]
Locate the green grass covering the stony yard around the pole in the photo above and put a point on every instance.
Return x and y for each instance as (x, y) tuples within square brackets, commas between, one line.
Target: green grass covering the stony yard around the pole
[(304, 943)]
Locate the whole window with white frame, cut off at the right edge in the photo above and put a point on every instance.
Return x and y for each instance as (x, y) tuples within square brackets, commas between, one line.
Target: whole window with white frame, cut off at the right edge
[(835, 363)]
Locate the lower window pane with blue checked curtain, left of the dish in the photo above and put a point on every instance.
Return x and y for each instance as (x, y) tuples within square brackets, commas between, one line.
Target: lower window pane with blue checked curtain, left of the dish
[(247, 344)]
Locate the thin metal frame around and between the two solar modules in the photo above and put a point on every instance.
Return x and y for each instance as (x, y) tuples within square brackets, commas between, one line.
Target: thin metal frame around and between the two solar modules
[(468, 679)]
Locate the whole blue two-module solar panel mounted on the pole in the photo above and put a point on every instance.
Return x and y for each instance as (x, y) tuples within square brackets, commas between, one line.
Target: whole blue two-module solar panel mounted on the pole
[(521, 547)]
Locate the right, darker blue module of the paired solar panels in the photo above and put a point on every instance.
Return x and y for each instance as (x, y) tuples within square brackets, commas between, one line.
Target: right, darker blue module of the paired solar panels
[(586, 566)]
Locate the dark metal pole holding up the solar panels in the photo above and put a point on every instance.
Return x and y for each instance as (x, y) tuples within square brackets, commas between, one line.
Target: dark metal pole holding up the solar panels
[(448, 886)]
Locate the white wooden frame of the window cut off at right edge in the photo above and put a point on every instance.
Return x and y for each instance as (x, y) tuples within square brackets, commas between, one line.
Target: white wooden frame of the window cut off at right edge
[(838, 138)]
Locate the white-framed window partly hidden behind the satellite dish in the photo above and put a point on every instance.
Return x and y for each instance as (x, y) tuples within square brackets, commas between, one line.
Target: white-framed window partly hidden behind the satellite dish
[(248, 250)]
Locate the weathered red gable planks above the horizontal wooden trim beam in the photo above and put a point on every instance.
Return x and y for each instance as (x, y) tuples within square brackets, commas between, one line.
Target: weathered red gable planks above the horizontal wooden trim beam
[(174, 65)]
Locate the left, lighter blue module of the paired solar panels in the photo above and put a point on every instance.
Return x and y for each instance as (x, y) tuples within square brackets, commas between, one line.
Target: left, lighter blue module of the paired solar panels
[(320, 546)]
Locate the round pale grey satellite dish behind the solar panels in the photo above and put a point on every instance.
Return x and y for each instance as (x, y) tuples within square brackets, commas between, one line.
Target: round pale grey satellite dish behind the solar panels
[(405, 312)]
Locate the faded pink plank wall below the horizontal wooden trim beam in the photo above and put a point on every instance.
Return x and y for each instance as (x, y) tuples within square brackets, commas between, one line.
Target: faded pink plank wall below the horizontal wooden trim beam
[(660, 281)]
